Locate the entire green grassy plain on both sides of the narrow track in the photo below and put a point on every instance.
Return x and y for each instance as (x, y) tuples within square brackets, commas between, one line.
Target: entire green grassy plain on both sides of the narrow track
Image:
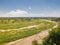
[(13, 35)]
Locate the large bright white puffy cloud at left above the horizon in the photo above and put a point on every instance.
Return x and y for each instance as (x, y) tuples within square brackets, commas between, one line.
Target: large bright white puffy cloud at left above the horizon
[(14, 13)]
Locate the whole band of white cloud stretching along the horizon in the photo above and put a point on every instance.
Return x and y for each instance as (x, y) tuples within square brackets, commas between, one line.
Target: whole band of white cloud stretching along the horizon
[(23, 13)]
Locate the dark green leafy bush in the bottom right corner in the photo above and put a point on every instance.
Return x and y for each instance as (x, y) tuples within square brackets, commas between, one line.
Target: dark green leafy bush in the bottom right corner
[(53, 38)]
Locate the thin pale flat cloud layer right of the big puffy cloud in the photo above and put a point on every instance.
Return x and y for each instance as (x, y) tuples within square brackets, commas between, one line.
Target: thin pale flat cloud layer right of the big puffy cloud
[(47, 14)]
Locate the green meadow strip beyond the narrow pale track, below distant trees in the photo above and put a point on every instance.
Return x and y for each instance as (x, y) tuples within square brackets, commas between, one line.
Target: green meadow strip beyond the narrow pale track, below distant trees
[(12, 24)]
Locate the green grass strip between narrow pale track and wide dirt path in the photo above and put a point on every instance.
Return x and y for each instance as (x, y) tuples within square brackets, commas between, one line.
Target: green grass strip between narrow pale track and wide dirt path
[(13, 35)]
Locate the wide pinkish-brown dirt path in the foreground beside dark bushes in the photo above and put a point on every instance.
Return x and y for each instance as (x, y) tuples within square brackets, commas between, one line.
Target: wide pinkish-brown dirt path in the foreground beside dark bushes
[(28, 40)]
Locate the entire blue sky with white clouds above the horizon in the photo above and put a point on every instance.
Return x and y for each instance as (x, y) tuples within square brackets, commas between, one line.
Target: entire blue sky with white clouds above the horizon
[(29, 8)]
